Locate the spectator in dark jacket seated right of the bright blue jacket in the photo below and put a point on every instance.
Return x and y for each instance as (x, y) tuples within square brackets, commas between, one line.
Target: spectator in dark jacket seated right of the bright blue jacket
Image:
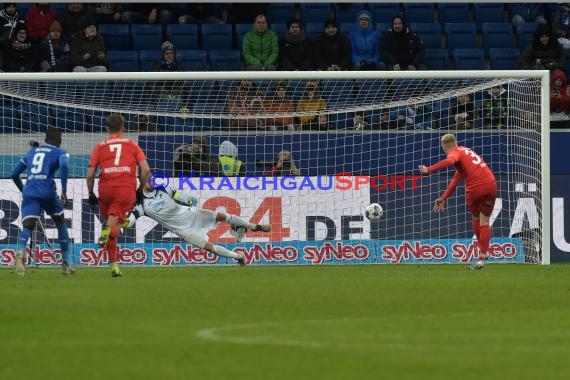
[(401, 48)]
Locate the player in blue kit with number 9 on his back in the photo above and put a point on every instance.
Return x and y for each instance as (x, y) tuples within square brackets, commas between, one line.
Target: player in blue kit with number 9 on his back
[(39, 194)]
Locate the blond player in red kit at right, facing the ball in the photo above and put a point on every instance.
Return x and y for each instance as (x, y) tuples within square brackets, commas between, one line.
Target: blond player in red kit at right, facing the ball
[(480, 189)]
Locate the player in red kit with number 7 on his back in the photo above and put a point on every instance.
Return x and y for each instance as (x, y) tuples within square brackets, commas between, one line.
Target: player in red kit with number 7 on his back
[(118, 158)]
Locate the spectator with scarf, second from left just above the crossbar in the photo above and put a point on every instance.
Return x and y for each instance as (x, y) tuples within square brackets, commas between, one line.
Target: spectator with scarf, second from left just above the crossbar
[(55, 50)]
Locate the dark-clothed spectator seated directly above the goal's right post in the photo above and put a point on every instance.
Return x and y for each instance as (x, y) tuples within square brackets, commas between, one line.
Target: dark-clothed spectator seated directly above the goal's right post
[(544, 52)]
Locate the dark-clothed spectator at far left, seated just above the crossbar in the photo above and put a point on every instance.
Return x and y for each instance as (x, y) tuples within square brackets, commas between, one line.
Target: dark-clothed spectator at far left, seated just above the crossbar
[(20, 55)]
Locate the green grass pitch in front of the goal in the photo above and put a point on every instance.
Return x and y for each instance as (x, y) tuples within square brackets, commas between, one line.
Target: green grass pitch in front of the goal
[(296, 322)]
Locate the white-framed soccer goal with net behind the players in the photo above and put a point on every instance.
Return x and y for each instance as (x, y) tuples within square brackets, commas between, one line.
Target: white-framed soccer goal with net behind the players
[(352, 139)]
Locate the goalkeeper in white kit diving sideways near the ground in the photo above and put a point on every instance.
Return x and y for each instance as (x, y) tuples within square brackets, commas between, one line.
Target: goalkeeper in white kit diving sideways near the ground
[(161, 205)]
